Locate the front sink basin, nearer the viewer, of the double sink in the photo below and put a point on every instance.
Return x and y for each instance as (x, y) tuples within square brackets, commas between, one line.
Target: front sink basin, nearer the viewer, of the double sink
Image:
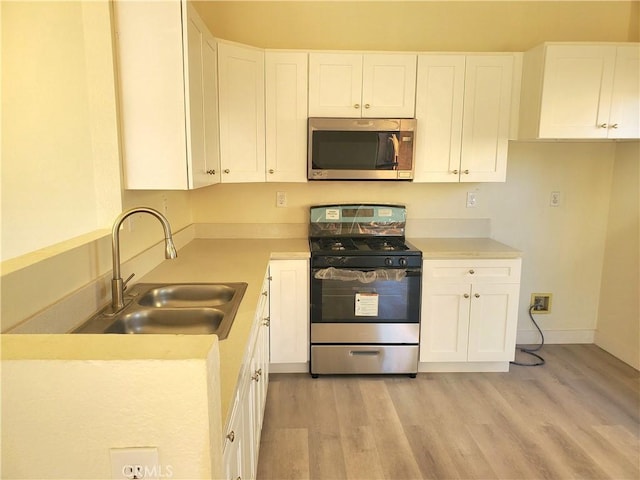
[(164, 320)]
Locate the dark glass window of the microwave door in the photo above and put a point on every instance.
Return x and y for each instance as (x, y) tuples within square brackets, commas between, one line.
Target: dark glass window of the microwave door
[(345, 150)]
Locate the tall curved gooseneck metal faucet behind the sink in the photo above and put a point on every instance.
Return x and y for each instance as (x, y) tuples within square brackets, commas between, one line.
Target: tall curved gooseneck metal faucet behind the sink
[(117, 284)]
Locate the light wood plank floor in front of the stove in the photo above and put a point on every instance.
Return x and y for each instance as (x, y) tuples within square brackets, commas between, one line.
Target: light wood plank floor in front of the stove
[(576, 417)]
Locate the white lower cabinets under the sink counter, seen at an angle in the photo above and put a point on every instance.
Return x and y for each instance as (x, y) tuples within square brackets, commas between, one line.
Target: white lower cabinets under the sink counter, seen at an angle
[(242, 435)]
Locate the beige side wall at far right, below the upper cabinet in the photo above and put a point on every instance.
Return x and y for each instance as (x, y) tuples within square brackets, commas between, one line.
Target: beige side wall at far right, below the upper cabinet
[(619, 309)]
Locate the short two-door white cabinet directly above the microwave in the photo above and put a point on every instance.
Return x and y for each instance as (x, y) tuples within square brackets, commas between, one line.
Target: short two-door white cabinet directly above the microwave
[(362, 85)]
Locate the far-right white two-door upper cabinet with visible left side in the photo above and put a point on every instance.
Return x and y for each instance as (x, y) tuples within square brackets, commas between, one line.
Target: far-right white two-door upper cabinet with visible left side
[(574, 91)]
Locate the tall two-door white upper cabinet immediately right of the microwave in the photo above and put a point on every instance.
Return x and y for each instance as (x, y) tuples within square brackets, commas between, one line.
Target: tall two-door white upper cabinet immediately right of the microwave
[(463, 108)]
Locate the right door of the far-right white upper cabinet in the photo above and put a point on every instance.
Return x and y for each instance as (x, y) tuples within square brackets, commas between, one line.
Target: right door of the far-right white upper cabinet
[(624, 118)]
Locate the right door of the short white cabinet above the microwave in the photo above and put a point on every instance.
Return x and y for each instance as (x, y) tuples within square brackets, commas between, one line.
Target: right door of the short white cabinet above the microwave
[(388, 85)]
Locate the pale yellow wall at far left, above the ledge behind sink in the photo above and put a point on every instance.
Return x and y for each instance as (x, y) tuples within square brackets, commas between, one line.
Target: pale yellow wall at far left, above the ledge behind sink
[(60, 163)]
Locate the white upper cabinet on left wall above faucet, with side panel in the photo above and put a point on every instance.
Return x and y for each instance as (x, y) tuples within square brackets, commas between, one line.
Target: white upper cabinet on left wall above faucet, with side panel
[(166, 71)]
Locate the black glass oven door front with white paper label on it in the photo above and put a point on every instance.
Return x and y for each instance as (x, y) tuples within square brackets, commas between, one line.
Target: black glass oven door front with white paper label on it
[(387, 301)]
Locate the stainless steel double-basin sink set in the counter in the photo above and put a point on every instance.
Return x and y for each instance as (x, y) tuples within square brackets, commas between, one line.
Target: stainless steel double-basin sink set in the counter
[(172, 308)]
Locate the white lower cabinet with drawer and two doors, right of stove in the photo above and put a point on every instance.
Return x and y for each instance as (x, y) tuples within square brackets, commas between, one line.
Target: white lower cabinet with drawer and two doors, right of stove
[(469, 312)]
